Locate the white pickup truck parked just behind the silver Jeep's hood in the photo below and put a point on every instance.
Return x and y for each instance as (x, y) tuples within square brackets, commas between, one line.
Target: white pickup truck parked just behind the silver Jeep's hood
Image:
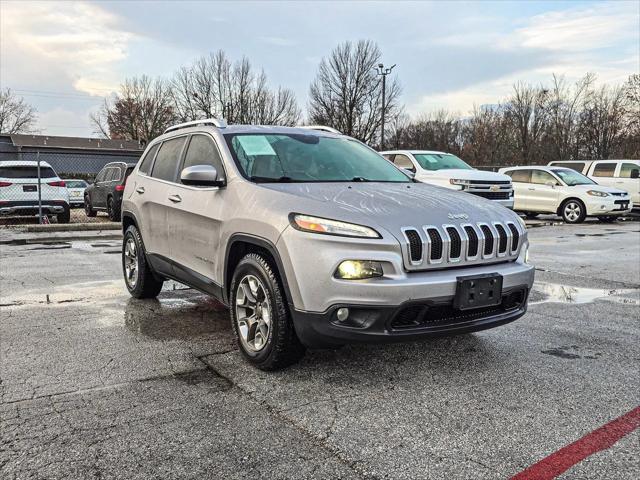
[(447, 170)]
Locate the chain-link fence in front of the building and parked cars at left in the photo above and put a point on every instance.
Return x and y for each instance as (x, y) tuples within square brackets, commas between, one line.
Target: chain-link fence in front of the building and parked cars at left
[(61, 187)]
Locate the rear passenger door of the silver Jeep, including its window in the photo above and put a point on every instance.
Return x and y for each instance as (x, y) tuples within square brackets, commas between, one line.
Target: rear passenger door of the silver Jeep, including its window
[(151, 194)]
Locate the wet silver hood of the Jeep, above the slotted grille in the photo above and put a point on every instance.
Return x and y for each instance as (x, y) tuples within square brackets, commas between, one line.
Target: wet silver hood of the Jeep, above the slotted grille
[(390, 206)]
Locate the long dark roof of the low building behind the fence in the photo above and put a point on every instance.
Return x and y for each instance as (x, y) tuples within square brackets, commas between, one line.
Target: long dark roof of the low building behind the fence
[(75, 143)]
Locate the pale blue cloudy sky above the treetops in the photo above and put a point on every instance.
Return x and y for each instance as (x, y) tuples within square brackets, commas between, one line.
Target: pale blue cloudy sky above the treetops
[(65, 57)]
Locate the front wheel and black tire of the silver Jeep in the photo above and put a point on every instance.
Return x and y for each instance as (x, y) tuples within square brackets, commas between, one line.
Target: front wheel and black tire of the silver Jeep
[(267, 344)]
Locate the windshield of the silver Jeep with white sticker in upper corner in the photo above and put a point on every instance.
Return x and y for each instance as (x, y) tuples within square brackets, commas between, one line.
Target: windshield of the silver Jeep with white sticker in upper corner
[(309, 158)]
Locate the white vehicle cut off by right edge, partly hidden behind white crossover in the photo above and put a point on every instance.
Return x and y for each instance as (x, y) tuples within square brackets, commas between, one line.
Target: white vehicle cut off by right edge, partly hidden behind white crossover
[(622, 174)]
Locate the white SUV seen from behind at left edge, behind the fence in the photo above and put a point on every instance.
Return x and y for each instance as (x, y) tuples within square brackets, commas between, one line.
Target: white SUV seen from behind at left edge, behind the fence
[(19, 190)]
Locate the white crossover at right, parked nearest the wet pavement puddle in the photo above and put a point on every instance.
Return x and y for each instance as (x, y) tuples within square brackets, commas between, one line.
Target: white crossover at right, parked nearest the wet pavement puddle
[(565, 192)]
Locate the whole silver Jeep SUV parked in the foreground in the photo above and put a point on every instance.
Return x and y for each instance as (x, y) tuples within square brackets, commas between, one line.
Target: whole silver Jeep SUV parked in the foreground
[(315, 240)]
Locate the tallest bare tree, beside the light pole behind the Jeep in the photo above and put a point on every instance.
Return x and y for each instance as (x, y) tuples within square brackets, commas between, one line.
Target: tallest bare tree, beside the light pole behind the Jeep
[(346, 93)]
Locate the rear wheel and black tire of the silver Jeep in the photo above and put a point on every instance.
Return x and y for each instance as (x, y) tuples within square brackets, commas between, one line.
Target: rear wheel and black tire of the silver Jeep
[(138, 276)]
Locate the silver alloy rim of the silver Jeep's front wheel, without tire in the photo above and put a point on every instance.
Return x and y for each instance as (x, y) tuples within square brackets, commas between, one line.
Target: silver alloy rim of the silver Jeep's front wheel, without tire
[(253, 313)]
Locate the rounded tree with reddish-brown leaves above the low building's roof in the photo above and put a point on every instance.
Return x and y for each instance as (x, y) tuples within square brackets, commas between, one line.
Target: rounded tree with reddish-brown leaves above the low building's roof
[(142, 110)]
